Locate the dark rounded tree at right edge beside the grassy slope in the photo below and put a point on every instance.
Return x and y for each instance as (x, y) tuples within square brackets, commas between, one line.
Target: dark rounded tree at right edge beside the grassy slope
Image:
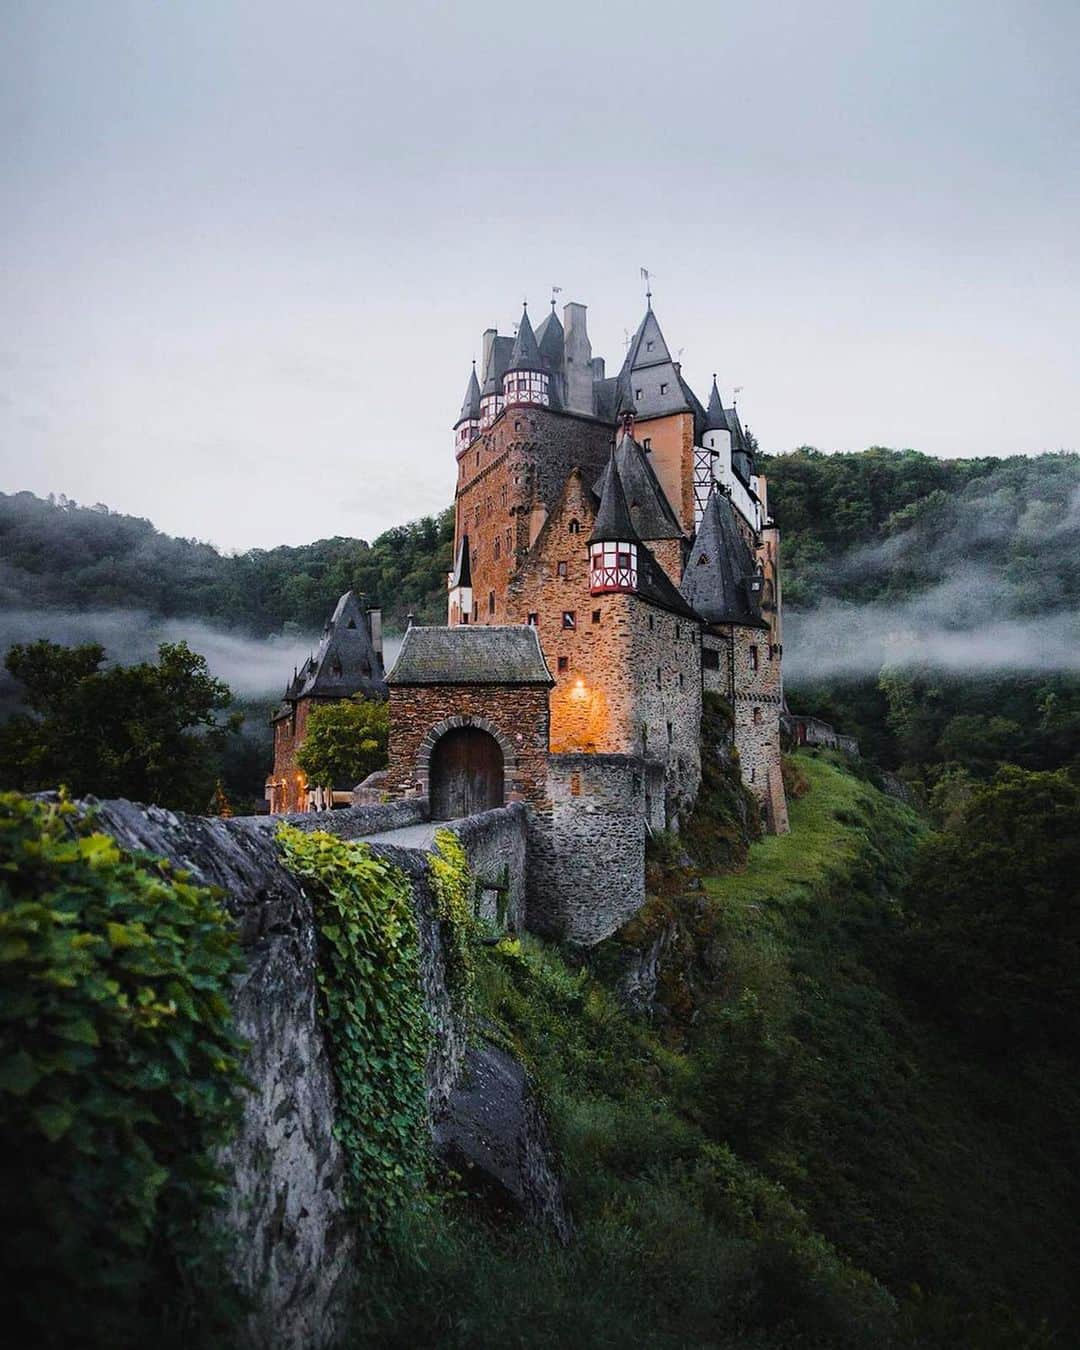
[(994, 907)]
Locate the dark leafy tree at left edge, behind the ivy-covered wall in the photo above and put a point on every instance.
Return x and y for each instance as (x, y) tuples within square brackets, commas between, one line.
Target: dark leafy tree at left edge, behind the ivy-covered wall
[(149, 732)]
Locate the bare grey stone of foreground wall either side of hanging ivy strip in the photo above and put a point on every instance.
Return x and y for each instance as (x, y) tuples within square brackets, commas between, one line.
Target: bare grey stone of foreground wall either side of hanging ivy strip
[(295, 1249)]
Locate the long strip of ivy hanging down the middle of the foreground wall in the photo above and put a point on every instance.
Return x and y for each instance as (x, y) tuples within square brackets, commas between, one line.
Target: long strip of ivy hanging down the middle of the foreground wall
[(373, 1009)]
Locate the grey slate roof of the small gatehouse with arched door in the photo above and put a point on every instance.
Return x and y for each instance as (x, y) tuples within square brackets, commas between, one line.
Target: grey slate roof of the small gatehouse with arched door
[(470, 654)]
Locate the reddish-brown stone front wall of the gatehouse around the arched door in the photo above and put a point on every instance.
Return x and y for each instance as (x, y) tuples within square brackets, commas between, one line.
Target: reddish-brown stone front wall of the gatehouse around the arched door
[(518, 716)]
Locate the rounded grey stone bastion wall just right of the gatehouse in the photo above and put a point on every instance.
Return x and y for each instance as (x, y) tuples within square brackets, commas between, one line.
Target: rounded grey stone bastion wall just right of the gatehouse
[(587, 862)]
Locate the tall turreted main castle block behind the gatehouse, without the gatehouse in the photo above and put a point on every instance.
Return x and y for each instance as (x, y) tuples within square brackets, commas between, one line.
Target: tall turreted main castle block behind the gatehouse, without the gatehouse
[(627, 523)]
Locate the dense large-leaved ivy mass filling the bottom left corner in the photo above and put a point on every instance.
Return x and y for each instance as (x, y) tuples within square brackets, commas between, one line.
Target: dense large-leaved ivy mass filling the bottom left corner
[(119, 1078)]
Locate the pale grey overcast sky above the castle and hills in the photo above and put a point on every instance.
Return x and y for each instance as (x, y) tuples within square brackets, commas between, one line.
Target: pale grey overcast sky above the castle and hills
[(250, 248)]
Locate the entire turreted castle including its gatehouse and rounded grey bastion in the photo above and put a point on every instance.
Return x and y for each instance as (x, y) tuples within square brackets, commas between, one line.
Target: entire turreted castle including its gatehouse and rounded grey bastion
[(614, 560)]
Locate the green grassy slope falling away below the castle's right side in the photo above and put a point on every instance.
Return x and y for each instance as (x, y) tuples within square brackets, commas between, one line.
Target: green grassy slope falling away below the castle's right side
[(738, 1193)]
